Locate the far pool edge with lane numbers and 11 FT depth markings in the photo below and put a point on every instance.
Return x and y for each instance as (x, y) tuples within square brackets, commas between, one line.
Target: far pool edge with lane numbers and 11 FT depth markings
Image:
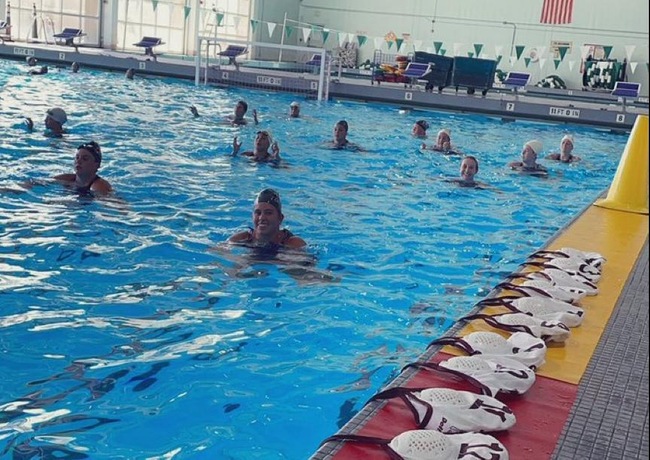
[(598, 109)]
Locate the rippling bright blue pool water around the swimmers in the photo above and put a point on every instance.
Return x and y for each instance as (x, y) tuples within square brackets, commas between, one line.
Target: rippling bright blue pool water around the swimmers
[(124, 335)]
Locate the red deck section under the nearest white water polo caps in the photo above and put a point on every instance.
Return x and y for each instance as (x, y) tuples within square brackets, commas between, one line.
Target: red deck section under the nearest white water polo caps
[(541, 414)]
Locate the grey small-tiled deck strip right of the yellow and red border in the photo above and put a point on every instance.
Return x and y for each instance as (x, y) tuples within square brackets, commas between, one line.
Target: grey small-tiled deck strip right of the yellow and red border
[(609, 419)]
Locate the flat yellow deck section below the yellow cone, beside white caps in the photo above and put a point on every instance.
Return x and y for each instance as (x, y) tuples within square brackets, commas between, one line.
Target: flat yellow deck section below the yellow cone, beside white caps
[(618, 236)]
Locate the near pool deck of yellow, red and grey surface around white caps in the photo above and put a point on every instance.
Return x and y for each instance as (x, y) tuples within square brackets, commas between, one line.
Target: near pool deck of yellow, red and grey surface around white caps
[(590, 398)]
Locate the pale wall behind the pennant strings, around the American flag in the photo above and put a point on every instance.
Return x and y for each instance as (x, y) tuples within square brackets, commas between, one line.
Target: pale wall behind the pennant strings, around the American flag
[(459, 24)]
